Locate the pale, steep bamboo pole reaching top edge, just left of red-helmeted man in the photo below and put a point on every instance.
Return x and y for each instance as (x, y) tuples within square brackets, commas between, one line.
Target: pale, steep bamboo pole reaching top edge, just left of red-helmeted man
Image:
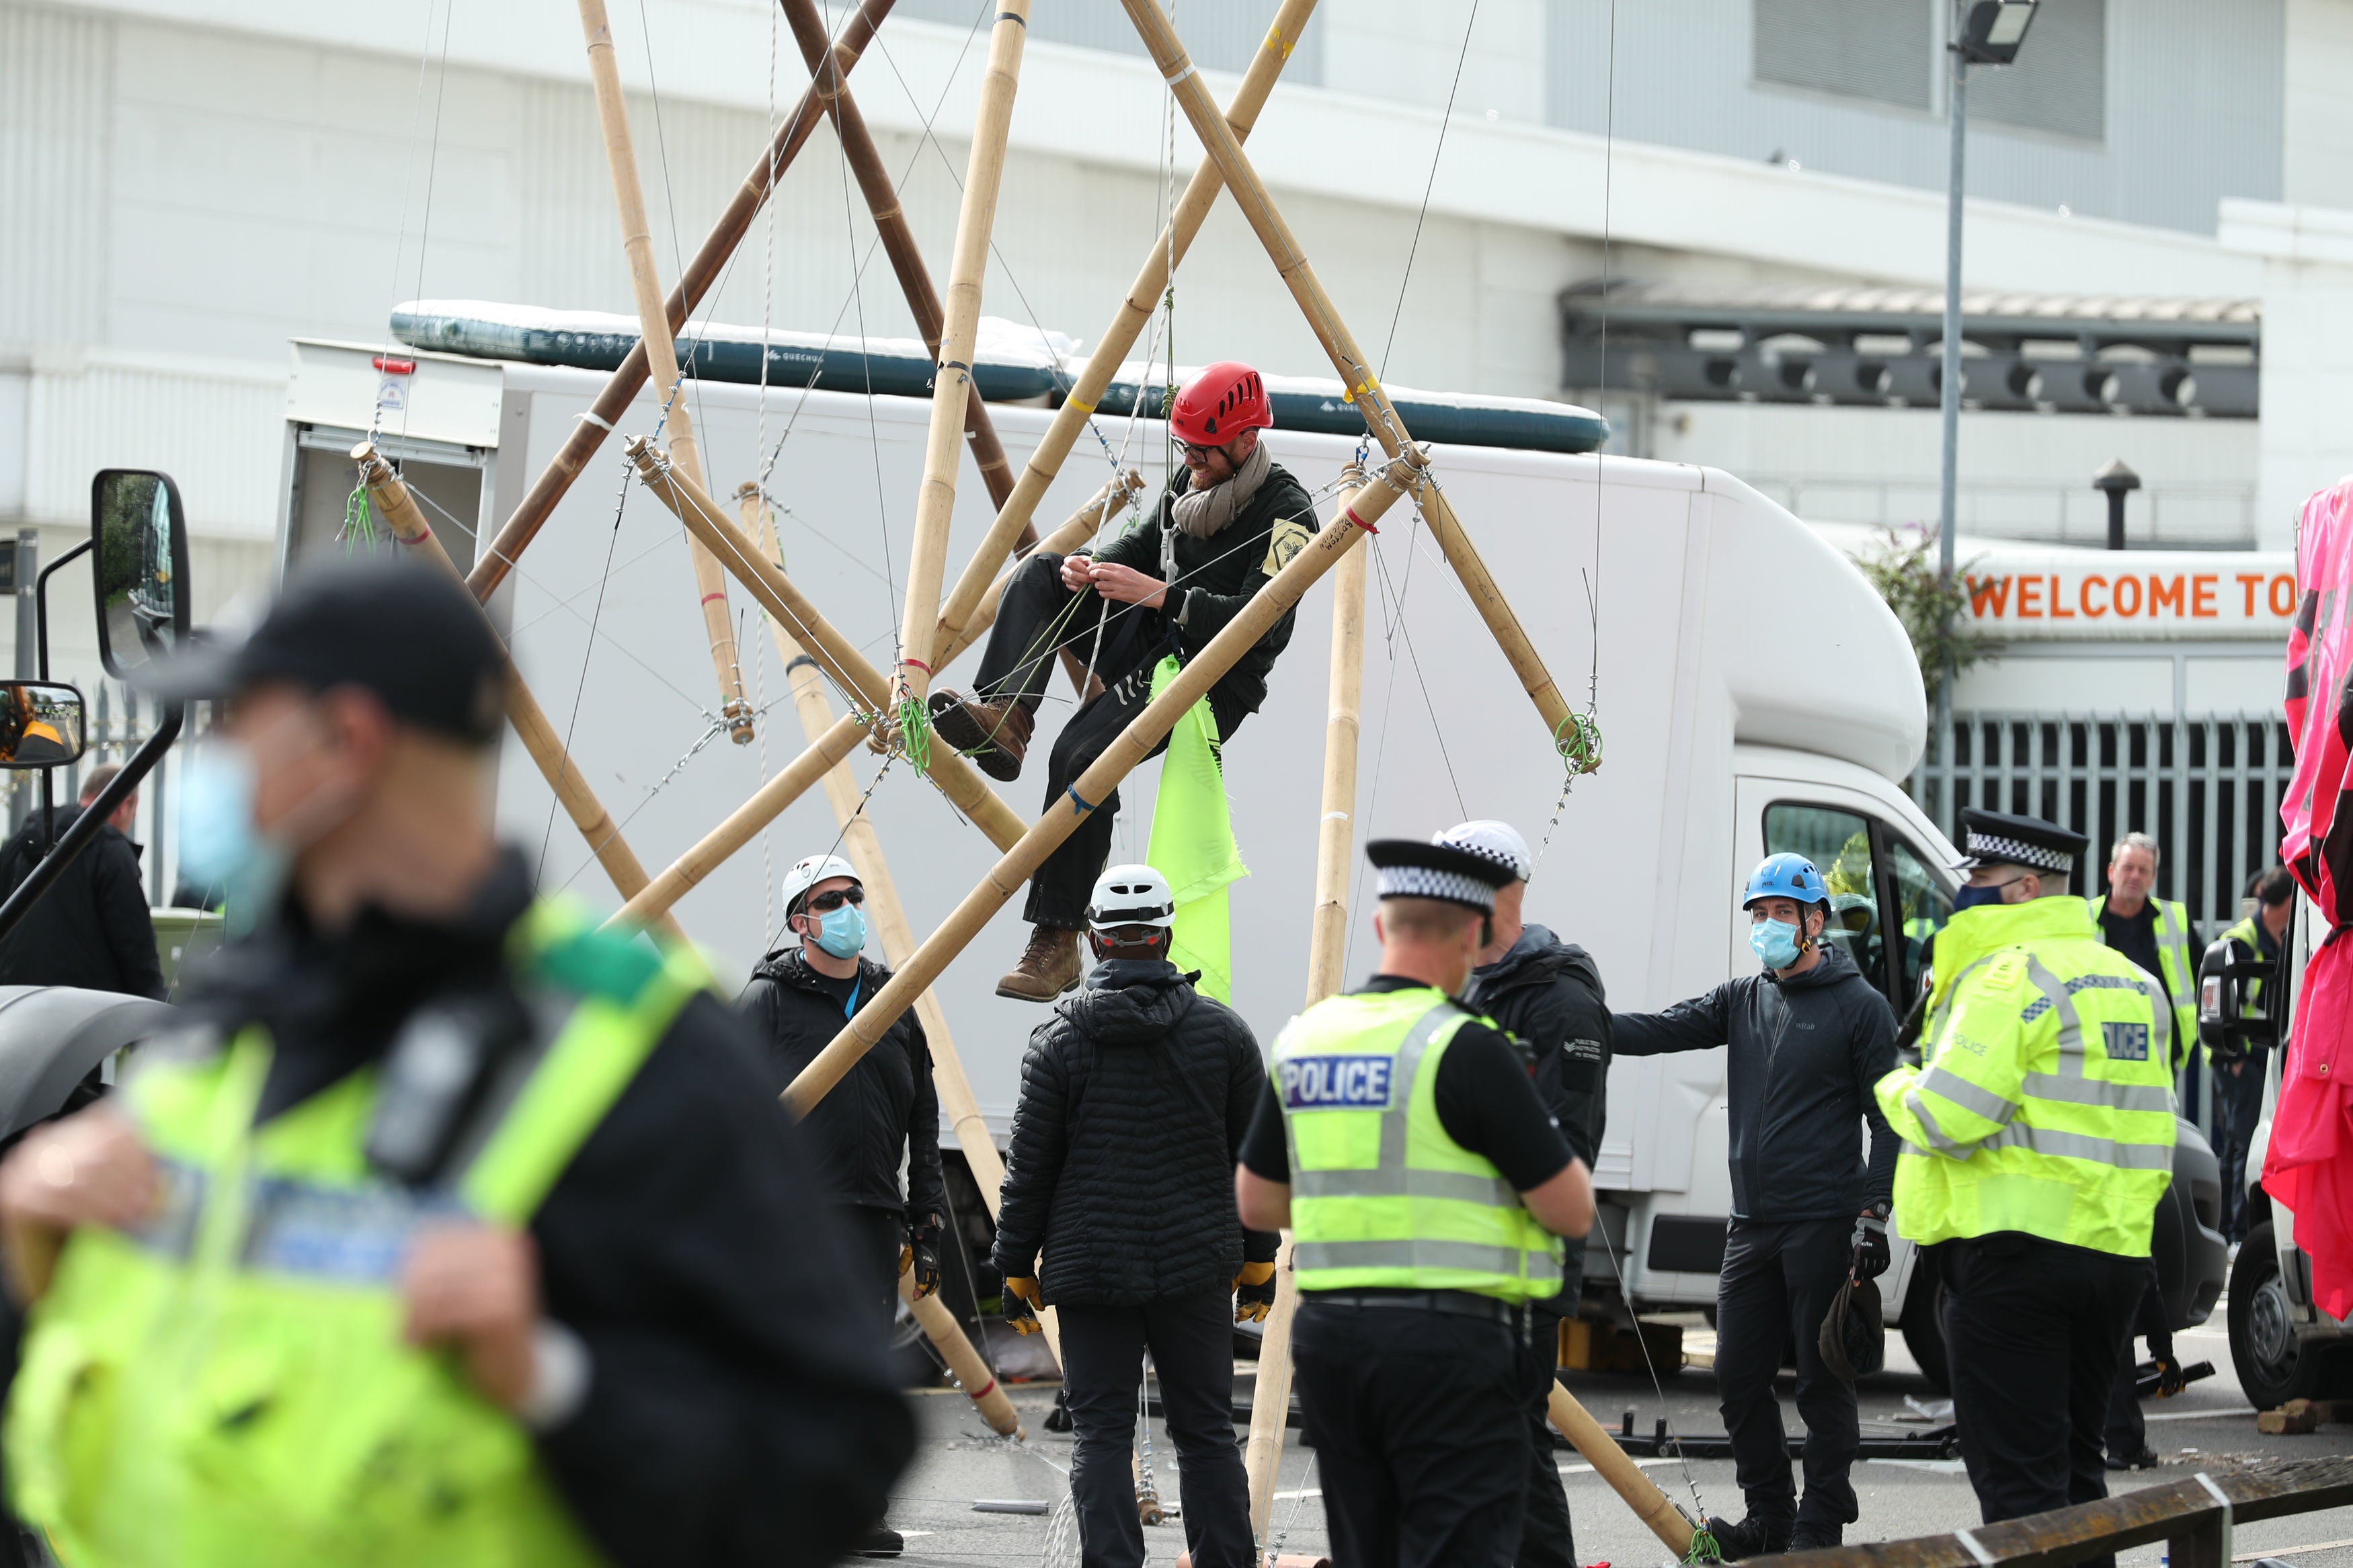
[(952, 387)]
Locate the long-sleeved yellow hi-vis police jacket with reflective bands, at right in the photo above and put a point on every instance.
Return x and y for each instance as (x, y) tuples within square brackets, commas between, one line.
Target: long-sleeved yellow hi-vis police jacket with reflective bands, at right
[(2044, 1101)]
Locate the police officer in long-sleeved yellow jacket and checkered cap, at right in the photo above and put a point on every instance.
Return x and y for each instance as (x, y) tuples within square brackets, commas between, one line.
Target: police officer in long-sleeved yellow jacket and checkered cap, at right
[(2039, 1137)]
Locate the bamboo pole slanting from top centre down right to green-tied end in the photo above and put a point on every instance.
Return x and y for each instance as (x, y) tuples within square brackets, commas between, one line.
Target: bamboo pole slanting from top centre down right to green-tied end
[(1347, 359)]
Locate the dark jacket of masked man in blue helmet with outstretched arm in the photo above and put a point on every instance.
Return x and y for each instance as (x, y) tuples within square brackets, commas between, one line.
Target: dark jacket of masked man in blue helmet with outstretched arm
[(1806, 1057)]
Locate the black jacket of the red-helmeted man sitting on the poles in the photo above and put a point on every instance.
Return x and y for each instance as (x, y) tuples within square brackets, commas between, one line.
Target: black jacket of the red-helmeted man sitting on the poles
[(1222, 572)]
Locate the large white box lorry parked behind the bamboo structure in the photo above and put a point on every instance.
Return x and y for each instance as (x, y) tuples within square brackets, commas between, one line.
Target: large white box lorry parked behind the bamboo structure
[(1752, 690)]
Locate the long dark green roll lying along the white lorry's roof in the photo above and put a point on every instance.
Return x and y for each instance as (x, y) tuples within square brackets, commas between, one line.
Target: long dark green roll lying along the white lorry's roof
[(1013, 363)]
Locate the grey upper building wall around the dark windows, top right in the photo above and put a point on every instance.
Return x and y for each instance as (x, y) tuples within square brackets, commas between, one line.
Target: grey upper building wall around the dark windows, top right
[(2192, 100)]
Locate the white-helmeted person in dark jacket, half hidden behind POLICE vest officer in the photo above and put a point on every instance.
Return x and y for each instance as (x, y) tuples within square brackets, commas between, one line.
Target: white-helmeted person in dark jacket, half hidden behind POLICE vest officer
[(1549, 998)]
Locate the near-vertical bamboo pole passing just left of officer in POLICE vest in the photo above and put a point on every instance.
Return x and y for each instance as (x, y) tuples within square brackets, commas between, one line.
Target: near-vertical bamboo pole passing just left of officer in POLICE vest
[(1328, 946)]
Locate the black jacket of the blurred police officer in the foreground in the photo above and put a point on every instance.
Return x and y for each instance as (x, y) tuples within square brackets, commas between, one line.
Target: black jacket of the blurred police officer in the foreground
[(726, 1419)]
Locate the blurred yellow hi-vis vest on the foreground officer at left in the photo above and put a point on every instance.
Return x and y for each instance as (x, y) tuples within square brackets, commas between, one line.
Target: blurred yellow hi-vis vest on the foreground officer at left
[(229, 1386)]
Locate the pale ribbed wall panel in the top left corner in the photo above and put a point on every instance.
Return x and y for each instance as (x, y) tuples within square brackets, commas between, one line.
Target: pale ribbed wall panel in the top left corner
[(58, 81)]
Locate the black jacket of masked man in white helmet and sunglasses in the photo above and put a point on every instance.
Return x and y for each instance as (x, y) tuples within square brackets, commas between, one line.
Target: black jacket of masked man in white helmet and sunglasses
[(884, 1111)]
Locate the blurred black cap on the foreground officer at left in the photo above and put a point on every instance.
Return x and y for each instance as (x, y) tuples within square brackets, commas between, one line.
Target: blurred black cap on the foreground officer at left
[(392, 626)]
